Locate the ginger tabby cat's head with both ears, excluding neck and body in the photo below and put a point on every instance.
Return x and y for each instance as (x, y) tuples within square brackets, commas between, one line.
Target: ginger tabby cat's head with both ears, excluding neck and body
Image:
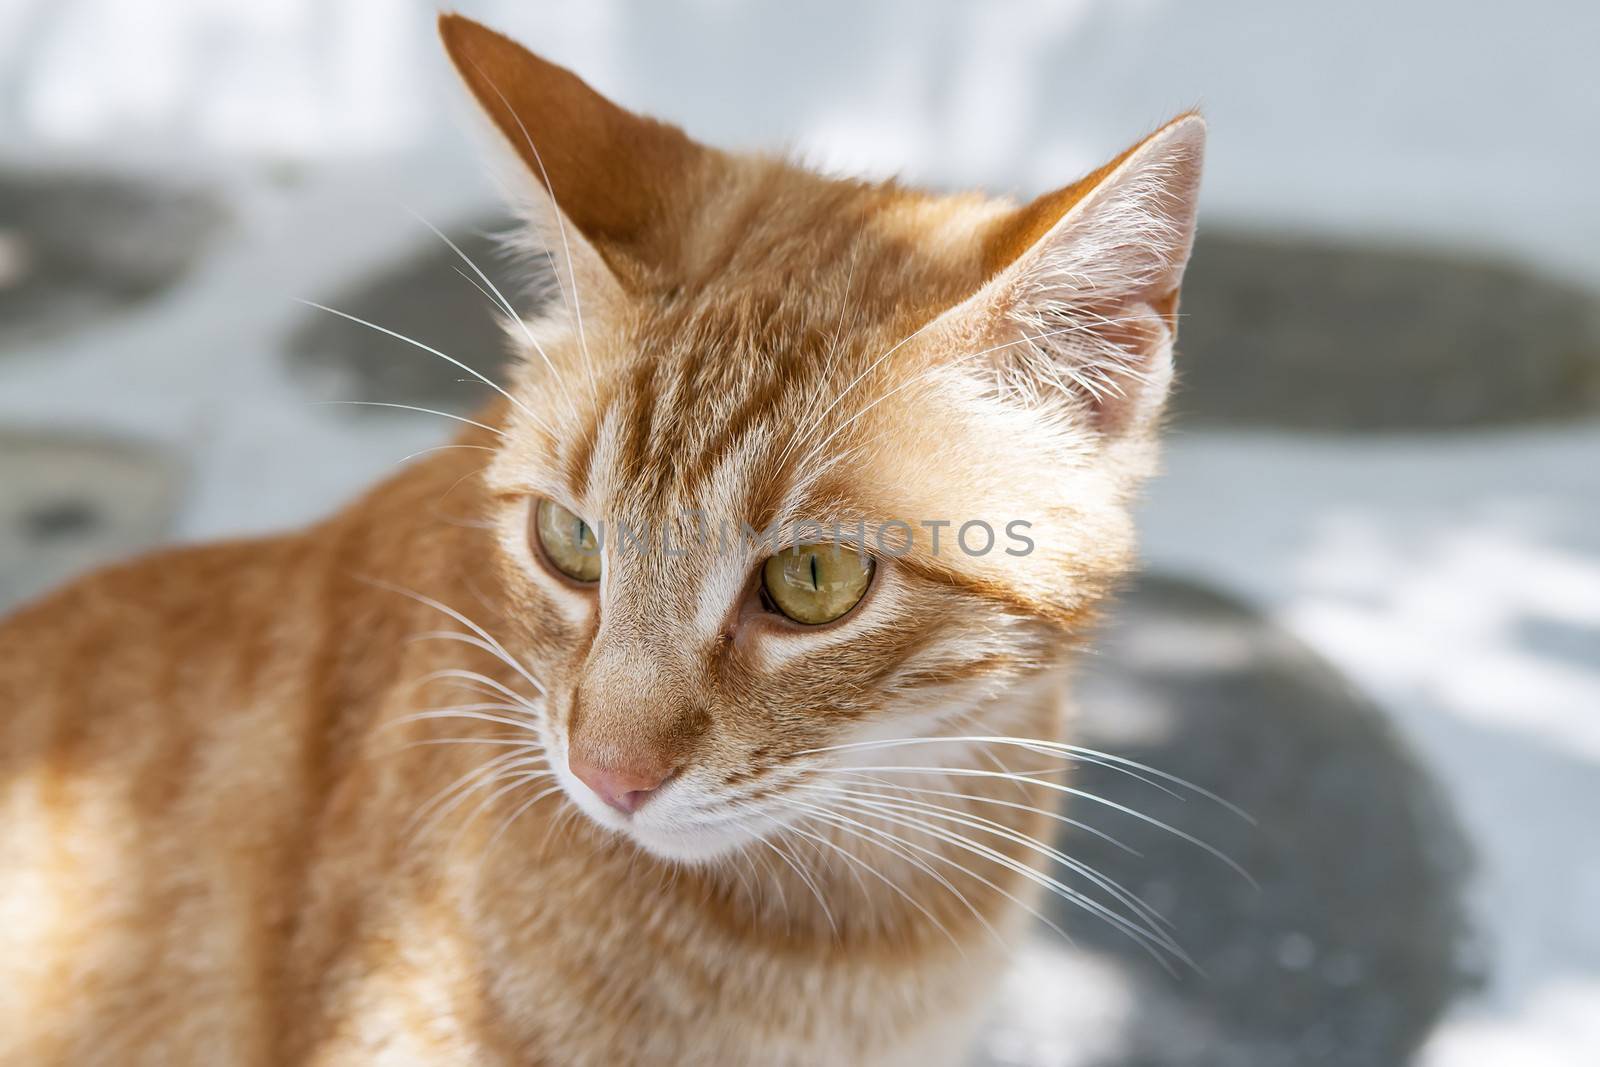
[(748, 374)]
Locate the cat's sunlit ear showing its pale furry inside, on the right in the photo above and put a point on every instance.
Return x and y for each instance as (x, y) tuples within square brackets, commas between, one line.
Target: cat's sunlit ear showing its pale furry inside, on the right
[(1081, 308)]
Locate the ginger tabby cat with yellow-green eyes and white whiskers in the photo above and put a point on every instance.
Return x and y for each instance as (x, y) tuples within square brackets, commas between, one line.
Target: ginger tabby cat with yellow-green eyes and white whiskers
[(534, 789)]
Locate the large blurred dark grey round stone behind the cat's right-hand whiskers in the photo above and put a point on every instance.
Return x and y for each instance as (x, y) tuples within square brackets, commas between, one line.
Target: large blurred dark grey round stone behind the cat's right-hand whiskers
[(1356, 940)]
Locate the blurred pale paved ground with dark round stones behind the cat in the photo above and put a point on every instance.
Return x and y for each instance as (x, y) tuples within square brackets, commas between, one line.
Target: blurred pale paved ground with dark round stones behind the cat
[(1370, 612)]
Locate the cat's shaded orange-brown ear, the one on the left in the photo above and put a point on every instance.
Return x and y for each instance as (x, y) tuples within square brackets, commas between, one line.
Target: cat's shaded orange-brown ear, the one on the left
[(609, 186)]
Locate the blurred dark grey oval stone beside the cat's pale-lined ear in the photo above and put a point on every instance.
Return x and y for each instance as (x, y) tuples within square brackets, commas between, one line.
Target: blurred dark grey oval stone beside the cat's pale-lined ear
[(1297, 334)]
